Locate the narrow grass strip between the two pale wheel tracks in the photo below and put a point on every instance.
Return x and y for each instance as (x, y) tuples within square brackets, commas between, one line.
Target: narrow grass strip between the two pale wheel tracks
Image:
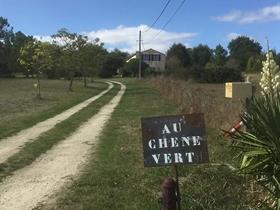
[(48, 139)]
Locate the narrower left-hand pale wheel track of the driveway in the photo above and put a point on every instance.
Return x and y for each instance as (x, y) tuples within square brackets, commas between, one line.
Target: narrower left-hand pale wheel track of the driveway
[(12, 145)]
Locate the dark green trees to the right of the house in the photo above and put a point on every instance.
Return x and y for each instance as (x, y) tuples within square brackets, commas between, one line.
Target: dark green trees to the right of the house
[(216, 65)]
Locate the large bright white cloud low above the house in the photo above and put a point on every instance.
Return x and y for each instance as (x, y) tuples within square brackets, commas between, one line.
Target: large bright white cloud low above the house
[(125, 38)]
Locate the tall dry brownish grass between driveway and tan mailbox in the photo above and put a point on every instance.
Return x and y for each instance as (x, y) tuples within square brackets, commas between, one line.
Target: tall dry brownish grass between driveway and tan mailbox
[(219, 111)]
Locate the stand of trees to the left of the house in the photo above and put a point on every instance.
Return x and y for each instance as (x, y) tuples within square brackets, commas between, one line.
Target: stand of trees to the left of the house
[(69, 55)]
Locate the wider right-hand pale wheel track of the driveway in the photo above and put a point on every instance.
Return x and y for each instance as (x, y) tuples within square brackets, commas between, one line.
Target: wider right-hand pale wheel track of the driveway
[(36, 183)]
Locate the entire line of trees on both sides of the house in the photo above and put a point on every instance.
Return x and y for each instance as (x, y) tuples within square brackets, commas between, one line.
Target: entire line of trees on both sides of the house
[(72, 55)]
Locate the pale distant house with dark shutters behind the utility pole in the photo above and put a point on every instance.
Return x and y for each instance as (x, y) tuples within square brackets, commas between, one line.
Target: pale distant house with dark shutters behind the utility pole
[(153, 58)]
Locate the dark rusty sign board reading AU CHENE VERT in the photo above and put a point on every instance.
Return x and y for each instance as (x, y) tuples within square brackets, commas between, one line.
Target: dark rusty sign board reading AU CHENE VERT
[(173, 140)]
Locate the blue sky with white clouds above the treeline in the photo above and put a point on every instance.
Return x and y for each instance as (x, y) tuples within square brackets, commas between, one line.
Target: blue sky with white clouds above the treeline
[(117, 22)]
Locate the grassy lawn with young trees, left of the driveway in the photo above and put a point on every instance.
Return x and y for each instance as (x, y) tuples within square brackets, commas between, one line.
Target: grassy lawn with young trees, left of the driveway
[(19, 107)]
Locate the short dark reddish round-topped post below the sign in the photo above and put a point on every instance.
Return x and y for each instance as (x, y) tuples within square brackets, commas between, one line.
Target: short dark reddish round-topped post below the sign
[(168, 189)]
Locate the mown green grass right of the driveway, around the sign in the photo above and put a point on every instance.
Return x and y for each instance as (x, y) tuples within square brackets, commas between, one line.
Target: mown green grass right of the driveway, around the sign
[(116, 179)]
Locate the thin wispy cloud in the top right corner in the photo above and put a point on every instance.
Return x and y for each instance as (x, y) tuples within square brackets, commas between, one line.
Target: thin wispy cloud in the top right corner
[(270, 13)]
